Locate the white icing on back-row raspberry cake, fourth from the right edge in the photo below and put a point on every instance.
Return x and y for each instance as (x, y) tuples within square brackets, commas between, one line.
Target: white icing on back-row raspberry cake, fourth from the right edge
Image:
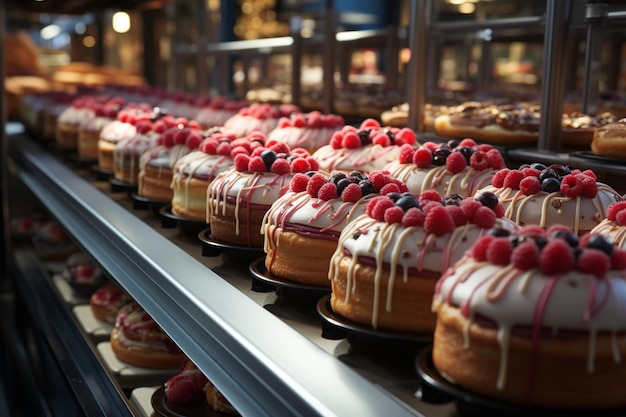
[(366, 159)]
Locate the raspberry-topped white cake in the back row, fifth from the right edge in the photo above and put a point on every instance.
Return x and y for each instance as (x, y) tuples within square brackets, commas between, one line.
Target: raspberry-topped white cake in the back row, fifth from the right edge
[(310, 131)]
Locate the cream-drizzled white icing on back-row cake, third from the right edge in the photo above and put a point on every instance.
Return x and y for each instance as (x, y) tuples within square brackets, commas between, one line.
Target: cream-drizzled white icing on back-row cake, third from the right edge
[(465, 183)]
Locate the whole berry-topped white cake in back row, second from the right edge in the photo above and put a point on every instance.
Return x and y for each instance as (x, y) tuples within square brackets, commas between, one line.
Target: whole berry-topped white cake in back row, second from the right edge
[(556, 194)]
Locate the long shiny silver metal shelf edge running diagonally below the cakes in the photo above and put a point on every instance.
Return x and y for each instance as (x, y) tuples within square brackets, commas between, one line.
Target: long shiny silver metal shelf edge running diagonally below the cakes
[(258, 351)]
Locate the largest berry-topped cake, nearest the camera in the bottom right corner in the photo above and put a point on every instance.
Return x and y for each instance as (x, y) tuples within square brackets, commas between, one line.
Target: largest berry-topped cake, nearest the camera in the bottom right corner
[(534, 319)]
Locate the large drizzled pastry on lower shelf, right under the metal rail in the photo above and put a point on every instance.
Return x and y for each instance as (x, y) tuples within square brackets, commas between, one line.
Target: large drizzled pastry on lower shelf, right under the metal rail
[(138, 340)]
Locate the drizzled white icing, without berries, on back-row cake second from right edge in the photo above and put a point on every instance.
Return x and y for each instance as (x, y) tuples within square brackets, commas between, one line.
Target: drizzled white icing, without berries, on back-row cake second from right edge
[(546, 209)]
